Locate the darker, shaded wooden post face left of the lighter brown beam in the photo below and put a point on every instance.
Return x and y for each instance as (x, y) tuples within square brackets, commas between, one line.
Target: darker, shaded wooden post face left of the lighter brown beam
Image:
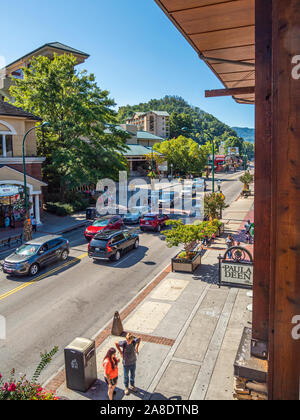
[(263, 171)]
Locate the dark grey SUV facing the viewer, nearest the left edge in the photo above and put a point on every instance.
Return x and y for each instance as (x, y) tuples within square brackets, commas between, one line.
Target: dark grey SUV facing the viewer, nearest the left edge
[(29, 258)]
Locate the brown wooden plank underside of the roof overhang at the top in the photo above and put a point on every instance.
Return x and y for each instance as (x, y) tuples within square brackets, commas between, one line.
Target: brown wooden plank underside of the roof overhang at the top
[(223, 35)]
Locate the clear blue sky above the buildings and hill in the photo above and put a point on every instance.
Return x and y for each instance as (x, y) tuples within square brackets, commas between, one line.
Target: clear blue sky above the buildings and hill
[(135, 51)]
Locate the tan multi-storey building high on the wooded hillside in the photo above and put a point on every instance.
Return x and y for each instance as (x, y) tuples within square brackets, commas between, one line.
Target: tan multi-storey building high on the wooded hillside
[(154, 122)]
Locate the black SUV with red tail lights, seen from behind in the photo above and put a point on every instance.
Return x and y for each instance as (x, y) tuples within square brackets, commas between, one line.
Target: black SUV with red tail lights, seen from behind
[(112, 245)]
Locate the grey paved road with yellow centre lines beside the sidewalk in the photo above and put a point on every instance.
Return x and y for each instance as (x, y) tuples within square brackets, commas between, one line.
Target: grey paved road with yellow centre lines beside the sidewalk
[(76, 299)]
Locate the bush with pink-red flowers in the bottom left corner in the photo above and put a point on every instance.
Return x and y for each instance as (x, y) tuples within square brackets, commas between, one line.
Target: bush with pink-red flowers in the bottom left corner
[(25, 389)]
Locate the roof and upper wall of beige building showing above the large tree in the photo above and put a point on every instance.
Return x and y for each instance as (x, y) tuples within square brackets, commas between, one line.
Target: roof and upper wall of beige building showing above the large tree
[(14, 70)]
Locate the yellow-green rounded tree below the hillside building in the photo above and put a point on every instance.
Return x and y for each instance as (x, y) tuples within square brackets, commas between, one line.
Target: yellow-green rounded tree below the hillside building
[(184, 154)]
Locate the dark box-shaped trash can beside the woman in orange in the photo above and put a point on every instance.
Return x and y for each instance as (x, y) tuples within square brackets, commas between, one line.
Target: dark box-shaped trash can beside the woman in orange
[(80, 364)]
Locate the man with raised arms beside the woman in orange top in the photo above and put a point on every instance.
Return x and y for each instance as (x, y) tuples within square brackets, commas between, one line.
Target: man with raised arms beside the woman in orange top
[(129, 349)]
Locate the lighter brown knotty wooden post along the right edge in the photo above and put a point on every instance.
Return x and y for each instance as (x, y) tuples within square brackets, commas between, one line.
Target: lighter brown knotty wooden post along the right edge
[(284, 348)]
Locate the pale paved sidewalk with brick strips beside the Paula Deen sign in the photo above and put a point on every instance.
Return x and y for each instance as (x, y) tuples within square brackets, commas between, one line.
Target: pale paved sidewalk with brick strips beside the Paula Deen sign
[(190, 330)]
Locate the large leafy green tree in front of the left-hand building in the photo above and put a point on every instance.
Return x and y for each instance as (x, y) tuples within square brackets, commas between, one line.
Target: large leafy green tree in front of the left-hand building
[(78, 147)]
